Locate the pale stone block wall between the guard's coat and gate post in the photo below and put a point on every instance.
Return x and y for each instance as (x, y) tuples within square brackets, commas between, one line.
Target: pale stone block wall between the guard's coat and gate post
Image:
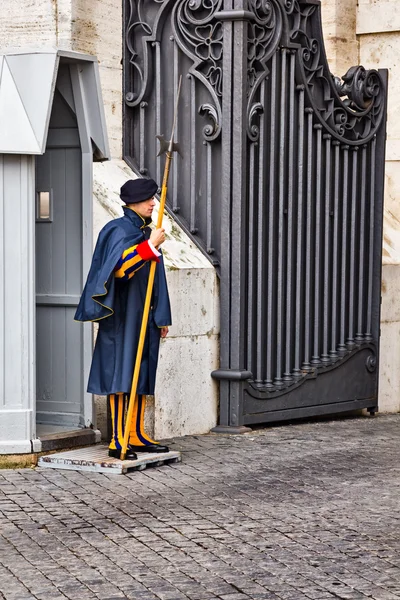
[(186, 396)]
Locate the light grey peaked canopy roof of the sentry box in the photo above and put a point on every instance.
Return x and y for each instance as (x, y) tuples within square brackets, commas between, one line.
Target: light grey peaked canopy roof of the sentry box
[(27, 84)]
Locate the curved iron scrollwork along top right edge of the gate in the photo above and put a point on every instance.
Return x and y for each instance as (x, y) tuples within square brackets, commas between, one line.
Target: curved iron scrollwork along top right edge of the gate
[(351, 108)]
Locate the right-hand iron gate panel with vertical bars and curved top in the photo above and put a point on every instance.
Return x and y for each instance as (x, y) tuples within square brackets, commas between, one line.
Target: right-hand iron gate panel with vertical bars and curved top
[(314, 266)]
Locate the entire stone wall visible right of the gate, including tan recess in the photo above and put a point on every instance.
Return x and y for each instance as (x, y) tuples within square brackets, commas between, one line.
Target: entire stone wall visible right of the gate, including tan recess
[(367, 32)]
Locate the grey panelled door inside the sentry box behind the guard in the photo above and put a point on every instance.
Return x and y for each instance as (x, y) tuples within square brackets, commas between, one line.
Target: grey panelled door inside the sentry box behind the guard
[(59, 348)]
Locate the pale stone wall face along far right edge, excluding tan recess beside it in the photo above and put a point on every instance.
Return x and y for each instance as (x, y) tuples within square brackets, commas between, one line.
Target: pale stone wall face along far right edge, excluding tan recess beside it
[(378, 32)]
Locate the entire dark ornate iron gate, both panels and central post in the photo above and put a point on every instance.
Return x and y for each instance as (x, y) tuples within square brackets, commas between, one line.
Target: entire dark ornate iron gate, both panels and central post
[(281, 185)]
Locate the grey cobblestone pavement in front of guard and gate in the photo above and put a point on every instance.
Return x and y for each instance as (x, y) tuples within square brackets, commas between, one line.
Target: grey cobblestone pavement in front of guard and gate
[(293, 512)]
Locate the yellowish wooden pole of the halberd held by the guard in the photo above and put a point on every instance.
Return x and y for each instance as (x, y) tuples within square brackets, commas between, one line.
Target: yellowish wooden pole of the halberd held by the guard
[(146, 310)]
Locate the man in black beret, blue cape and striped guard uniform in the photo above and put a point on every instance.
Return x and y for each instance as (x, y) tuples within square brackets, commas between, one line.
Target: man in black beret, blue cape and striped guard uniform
[(114, 296)]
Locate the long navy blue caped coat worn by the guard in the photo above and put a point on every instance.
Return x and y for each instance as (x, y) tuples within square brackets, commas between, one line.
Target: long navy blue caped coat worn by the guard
[(118, 307)]
